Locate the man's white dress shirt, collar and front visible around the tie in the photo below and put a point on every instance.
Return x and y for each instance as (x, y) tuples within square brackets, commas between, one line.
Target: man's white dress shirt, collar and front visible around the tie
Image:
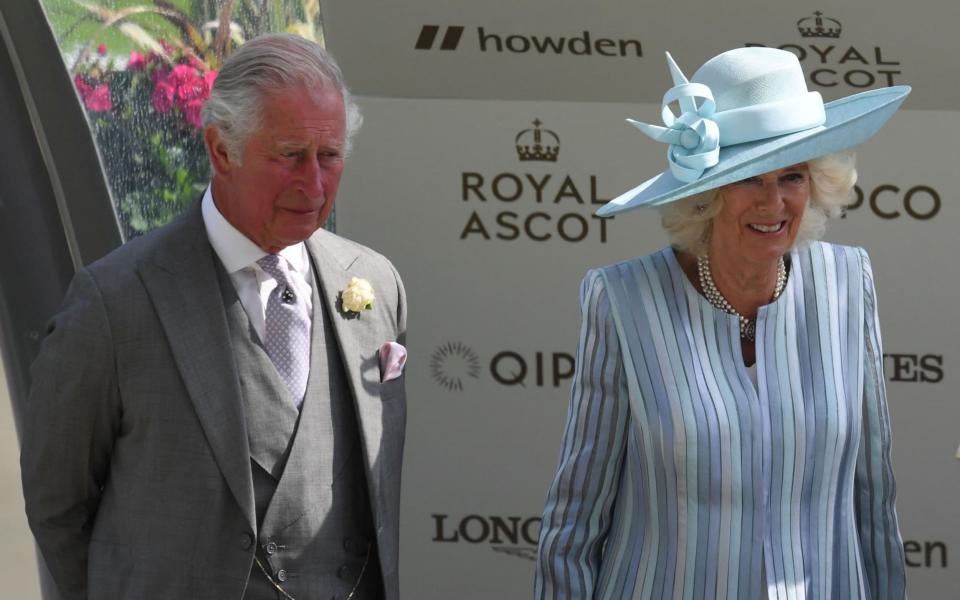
[(239, 256)]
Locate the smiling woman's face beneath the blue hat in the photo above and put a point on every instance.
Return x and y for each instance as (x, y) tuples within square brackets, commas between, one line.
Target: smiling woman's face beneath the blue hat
[(761, 215)]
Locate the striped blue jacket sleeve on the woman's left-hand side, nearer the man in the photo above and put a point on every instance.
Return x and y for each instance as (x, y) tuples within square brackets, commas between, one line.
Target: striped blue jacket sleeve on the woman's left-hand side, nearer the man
[(578, 508)]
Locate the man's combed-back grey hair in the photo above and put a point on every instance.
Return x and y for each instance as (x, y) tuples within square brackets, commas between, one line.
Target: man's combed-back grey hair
[(268, 64)]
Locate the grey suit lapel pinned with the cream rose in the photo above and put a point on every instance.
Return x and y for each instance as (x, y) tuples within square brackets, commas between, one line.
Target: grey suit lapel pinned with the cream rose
[(358, 343)]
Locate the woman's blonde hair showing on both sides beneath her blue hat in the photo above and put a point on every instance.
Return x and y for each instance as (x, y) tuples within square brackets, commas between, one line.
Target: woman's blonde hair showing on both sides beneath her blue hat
[(832, 177)]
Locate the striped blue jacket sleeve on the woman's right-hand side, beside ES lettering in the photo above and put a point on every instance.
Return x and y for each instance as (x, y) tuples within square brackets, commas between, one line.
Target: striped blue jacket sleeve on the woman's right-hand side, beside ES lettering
[(875, 489)]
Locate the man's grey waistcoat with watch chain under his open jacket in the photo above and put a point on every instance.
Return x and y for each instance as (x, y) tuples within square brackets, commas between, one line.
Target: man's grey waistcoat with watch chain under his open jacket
[(315, 529)]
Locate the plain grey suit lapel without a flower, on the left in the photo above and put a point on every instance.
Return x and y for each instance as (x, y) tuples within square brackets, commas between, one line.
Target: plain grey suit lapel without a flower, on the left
[(183, 286)]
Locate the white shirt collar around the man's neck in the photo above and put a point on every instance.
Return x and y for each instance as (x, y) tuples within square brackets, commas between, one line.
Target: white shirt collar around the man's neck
[(235, 250)]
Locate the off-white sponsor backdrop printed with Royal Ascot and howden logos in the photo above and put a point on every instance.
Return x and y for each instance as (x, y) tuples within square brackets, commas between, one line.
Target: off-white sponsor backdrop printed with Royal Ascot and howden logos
[(492, 249)]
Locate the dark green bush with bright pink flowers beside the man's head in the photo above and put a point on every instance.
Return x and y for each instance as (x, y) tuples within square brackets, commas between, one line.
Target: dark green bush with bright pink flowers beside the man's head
[(152, 151)]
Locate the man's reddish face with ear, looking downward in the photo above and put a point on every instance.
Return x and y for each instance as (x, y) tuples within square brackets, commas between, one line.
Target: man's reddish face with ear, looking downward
[(285, 184)]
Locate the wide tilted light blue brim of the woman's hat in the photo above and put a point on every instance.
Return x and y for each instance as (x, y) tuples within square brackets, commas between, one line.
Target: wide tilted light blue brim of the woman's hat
[(850, 121)]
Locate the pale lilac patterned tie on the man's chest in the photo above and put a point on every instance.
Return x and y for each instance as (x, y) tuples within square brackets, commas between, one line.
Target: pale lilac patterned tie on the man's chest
[(287, 329)]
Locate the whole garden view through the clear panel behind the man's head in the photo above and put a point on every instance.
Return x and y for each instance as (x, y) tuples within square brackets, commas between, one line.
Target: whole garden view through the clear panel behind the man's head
[(153, 153)]
